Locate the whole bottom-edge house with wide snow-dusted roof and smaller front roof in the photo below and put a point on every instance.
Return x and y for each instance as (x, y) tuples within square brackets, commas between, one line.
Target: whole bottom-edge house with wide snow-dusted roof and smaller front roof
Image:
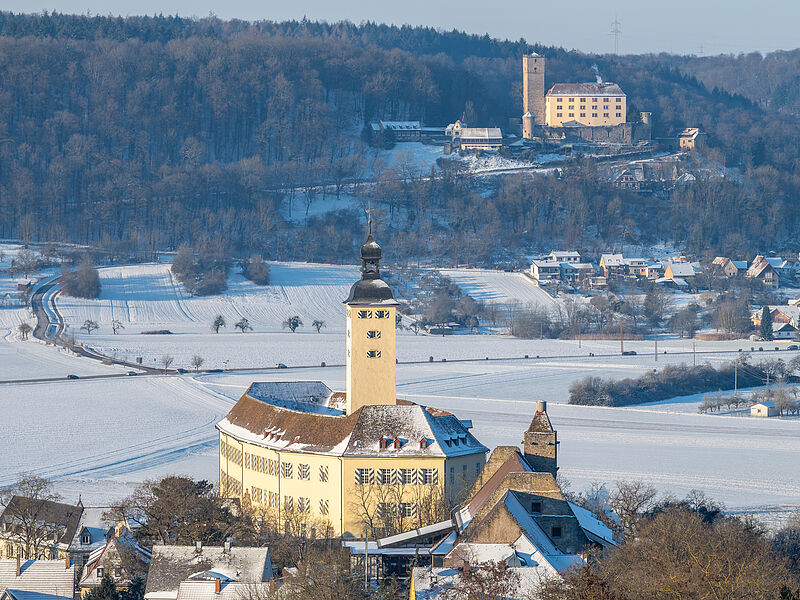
[(199, 571)]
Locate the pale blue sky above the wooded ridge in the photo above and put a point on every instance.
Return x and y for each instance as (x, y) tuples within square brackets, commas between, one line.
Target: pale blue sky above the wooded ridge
[(678, 26)]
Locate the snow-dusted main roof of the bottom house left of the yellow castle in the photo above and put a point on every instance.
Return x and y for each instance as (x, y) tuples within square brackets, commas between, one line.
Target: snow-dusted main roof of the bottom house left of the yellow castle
[(170, 565)]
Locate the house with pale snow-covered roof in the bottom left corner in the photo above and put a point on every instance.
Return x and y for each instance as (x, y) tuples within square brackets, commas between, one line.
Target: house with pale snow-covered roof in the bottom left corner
[(36, 579)]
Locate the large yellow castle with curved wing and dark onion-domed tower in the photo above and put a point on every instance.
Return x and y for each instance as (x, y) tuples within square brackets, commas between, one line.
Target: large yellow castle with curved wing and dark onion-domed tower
[(352, 463)]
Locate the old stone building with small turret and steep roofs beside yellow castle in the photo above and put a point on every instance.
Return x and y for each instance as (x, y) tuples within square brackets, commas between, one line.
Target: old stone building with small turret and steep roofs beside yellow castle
[(516, 515)]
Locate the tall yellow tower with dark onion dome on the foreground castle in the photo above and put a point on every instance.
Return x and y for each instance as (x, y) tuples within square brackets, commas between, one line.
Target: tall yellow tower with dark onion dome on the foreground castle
[(371, 352)]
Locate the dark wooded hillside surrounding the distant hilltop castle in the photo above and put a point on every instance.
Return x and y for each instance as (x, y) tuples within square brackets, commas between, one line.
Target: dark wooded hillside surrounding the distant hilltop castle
[(149, 132)]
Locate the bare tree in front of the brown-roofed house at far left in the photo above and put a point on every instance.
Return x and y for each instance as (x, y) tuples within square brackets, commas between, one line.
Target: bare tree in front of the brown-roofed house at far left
[(27, 506)]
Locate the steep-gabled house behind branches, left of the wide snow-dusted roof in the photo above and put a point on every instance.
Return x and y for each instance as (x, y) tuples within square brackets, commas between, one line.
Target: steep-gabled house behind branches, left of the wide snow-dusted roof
[(121, 558)]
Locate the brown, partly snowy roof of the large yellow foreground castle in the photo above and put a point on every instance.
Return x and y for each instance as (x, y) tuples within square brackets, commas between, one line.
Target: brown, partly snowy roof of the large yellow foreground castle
[(282, 424)]
